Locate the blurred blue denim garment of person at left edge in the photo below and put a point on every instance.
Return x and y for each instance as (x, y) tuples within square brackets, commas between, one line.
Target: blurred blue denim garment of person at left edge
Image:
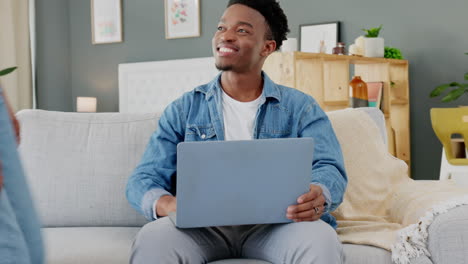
[(20, 228)]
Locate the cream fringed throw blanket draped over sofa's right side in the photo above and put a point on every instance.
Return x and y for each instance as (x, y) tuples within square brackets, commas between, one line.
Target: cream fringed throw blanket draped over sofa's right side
[(381, 199)]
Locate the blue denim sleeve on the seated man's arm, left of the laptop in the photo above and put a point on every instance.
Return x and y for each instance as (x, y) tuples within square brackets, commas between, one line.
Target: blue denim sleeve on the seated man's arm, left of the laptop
[(155, 174)]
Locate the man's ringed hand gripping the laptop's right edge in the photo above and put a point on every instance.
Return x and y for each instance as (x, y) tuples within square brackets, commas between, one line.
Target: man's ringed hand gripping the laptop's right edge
[(310, 206)]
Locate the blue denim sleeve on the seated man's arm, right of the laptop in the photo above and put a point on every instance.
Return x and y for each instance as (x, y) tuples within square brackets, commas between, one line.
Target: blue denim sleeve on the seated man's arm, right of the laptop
[(327, 166)]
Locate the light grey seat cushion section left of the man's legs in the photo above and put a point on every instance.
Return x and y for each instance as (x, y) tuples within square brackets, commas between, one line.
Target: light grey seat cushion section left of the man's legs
[(91, 245)]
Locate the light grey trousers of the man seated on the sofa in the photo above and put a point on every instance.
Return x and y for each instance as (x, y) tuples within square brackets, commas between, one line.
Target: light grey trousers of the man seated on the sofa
[(305, 242)]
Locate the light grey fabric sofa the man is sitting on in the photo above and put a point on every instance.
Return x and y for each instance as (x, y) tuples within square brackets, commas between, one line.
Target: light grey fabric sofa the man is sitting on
[(78, 165)]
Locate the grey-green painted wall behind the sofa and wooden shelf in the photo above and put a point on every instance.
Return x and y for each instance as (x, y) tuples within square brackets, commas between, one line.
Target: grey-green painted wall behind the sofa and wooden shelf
[(432, 36)]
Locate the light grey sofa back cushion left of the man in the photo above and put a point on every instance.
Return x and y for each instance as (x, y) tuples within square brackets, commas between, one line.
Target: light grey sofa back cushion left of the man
[(78, 164)]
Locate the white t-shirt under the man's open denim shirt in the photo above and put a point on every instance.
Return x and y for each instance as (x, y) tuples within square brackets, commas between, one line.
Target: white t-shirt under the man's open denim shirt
[(239, 118)]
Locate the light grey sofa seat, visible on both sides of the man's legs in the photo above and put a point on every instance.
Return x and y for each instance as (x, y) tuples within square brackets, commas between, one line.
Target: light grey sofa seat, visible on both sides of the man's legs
[(70, 245)]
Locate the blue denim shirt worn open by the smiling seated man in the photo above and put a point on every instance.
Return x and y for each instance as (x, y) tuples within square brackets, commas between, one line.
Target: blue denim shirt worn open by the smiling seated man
[(197, 116)]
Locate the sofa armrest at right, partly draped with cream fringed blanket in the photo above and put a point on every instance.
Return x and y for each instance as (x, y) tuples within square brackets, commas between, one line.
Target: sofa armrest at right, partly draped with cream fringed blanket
[(425, 208)]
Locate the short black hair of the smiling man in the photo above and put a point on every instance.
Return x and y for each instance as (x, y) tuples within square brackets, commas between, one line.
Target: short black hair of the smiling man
[(274, 16)]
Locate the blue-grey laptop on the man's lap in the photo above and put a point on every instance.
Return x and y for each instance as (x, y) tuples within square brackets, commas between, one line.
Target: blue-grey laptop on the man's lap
[(240, 182)]
